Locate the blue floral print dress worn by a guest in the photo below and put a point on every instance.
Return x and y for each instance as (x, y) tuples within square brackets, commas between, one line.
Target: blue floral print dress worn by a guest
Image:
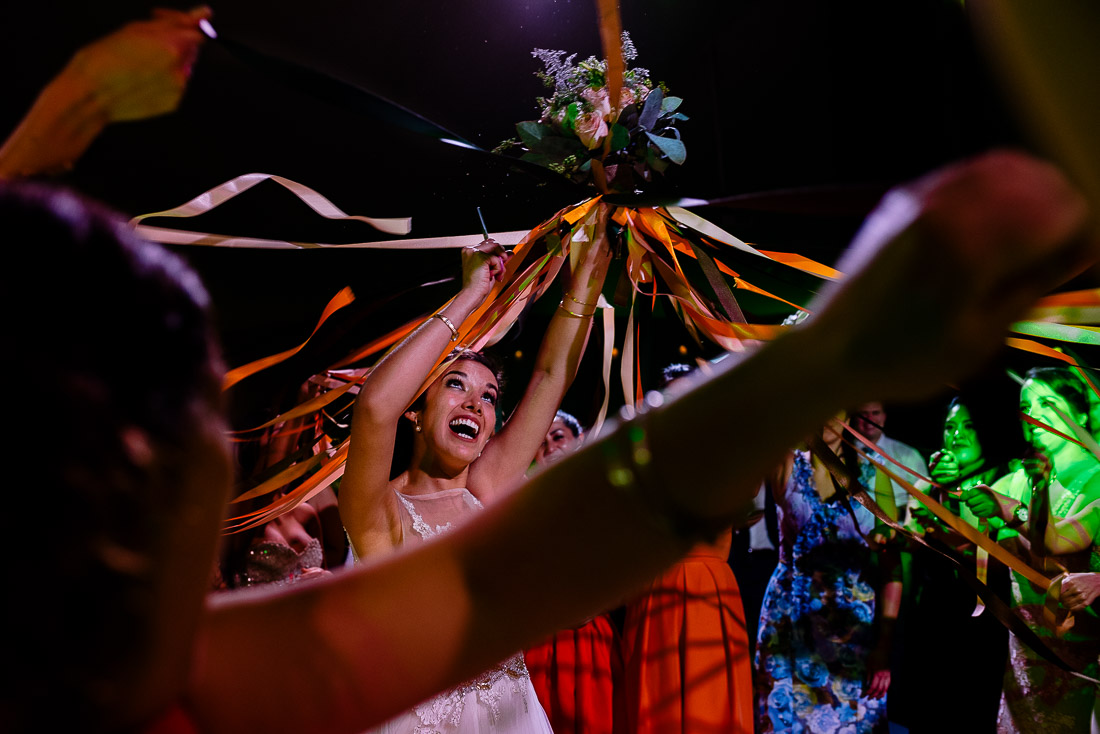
[(817, 625)]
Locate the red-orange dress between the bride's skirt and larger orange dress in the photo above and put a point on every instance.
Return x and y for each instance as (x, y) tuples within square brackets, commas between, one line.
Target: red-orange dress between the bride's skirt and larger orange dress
[(576, 674)]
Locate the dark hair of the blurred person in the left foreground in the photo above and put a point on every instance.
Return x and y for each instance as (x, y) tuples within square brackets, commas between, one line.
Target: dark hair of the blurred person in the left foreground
[(108, 334)]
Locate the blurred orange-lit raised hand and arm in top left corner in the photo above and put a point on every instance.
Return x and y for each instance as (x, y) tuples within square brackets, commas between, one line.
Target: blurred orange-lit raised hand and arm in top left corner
[(138, 72)]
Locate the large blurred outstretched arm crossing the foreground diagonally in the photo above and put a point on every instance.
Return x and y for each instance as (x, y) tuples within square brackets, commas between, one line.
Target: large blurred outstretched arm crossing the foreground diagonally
[(366, 645)]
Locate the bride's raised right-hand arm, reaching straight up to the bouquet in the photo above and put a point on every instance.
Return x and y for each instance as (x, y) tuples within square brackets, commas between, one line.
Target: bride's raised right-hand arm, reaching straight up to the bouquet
[(510, 454)]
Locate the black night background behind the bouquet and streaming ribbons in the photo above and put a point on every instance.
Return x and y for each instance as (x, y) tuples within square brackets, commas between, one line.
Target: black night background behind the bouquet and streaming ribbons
[(841, 98)]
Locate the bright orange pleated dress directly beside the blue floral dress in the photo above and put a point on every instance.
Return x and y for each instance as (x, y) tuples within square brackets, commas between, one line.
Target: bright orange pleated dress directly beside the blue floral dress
[(686, 651)]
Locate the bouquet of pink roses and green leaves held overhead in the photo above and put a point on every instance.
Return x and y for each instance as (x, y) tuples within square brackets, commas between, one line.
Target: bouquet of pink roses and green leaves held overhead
[(617, 148)]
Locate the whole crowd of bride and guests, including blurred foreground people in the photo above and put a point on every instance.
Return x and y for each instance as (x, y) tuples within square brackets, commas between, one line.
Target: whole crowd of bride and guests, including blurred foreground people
[(519, 576)]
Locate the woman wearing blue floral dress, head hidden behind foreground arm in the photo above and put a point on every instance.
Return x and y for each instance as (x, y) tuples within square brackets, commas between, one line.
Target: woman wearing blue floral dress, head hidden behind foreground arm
[(829, 616)]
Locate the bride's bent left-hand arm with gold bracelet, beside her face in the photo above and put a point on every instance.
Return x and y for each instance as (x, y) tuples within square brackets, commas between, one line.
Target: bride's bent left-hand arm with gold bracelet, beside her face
[(366, 506)]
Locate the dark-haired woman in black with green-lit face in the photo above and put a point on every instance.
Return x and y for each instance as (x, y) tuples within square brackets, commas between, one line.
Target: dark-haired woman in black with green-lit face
[(943, 631)]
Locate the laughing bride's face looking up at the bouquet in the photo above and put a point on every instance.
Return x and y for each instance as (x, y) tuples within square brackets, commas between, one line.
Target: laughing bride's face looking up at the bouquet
[(460, 412)]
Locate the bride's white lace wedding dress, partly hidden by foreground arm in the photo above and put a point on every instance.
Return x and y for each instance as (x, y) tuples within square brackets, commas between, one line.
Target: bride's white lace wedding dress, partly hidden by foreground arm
[(502, 699)]
